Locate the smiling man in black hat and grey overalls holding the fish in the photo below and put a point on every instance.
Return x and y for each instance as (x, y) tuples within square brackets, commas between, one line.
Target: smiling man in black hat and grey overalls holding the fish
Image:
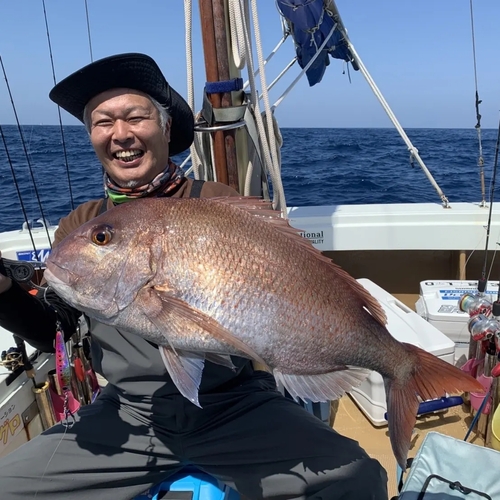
[(141, 430)]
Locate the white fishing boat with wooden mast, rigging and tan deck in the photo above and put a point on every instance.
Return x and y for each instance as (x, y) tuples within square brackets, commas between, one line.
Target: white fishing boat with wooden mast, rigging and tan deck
[(238, 143)]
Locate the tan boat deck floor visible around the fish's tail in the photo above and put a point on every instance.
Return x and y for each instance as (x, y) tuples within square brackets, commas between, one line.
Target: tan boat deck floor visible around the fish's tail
[(351, 422)]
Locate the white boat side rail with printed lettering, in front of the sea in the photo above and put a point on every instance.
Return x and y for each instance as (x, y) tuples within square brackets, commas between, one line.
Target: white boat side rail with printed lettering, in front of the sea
[(412, 226)]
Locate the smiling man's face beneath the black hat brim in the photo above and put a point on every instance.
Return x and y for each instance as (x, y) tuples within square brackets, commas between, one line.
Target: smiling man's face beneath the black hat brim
[(126, 134)]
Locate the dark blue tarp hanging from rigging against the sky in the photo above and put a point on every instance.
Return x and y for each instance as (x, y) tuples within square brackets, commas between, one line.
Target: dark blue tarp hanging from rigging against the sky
[(310, 24)]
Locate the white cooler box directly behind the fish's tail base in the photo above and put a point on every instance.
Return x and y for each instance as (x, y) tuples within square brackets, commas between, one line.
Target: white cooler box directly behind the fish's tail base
[(405, 325)]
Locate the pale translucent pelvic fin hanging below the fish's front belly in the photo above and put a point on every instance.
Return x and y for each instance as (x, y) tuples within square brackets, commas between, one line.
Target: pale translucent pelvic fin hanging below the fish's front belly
[(186, 371)]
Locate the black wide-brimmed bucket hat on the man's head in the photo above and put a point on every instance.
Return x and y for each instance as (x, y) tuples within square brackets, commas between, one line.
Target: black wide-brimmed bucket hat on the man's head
[(133, 71)]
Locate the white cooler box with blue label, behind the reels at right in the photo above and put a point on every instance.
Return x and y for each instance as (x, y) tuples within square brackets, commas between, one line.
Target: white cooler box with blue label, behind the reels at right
[(438, 304)]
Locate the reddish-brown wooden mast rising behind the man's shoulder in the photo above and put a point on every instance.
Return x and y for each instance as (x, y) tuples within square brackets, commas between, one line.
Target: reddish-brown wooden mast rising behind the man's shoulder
[(215, 48)]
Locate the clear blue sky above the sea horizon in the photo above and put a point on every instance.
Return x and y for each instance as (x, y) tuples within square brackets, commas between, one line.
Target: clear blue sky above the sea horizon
[(418, 52)]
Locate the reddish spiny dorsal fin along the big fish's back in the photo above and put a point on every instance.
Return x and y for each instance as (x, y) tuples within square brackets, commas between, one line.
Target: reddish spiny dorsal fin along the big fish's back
[(264, 210)]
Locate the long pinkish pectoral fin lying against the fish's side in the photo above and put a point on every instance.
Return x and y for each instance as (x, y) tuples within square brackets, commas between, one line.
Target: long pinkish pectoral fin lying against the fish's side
[(175, 306)]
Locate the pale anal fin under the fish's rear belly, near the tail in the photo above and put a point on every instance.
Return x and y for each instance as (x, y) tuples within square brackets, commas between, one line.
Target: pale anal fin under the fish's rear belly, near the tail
[(323, 387)]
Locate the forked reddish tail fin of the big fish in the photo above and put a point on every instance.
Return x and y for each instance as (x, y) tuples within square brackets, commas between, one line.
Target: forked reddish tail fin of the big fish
[(430, 378)]
